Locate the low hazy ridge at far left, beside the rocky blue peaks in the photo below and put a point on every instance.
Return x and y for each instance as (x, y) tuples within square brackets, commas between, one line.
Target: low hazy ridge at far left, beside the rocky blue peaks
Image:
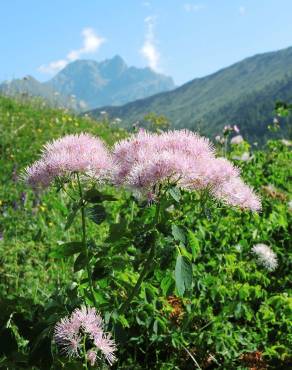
[(30, 87)]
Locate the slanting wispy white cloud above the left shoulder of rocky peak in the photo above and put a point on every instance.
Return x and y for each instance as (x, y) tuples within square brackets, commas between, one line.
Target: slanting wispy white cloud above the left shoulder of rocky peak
[(91, 43)]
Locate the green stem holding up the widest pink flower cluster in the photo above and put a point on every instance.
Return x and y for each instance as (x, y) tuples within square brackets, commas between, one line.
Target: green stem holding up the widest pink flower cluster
[(145, 269)]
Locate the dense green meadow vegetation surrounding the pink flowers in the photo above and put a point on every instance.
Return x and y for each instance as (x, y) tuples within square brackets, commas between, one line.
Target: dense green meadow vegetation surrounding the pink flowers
[(231, 313)]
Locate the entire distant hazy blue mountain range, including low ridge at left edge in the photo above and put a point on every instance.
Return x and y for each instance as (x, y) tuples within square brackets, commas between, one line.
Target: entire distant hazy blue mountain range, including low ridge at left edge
[(87, 84)]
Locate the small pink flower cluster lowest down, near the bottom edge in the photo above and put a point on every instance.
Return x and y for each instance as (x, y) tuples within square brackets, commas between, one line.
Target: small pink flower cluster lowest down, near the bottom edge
[(69, 334)]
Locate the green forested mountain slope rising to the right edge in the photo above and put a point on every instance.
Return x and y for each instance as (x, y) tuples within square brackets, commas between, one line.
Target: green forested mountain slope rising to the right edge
[(244, 93)]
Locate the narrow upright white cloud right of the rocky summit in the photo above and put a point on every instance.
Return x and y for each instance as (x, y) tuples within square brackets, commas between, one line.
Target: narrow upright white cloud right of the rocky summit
[(149, 49)]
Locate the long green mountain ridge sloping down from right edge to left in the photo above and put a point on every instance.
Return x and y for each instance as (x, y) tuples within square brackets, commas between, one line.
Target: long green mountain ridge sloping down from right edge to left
[(205, 97)]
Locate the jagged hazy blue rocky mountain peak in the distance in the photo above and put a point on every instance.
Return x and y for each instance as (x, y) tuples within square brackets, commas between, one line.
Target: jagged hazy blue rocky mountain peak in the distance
[(110, 82)]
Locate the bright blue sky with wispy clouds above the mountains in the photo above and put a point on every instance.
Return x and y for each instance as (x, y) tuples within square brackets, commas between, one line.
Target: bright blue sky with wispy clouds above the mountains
[(183, 39)]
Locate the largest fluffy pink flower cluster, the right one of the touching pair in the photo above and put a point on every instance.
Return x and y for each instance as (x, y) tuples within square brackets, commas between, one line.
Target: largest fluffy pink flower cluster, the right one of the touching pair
[(146, 160)]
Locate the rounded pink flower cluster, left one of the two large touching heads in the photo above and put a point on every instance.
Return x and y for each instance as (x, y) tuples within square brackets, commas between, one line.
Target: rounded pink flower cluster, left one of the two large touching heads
[(73, 153)]
